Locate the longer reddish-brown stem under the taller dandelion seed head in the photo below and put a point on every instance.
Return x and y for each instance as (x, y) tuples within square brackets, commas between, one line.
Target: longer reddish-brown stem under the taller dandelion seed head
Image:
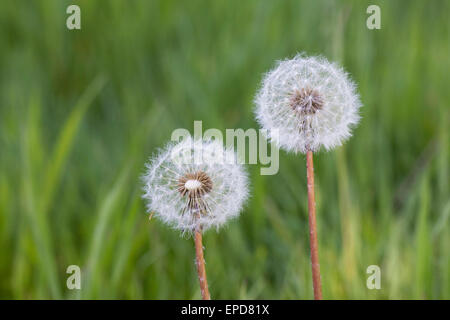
[(312, 227)]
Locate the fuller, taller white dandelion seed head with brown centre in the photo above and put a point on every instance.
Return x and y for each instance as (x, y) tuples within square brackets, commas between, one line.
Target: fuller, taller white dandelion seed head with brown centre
[(310, 103)]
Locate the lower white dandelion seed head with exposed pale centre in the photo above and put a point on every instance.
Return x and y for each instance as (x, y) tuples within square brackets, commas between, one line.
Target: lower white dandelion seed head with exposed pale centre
[(195, 183)]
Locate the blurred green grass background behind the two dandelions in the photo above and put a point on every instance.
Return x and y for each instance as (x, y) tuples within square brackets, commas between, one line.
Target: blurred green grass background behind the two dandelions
[(81, 112)]
